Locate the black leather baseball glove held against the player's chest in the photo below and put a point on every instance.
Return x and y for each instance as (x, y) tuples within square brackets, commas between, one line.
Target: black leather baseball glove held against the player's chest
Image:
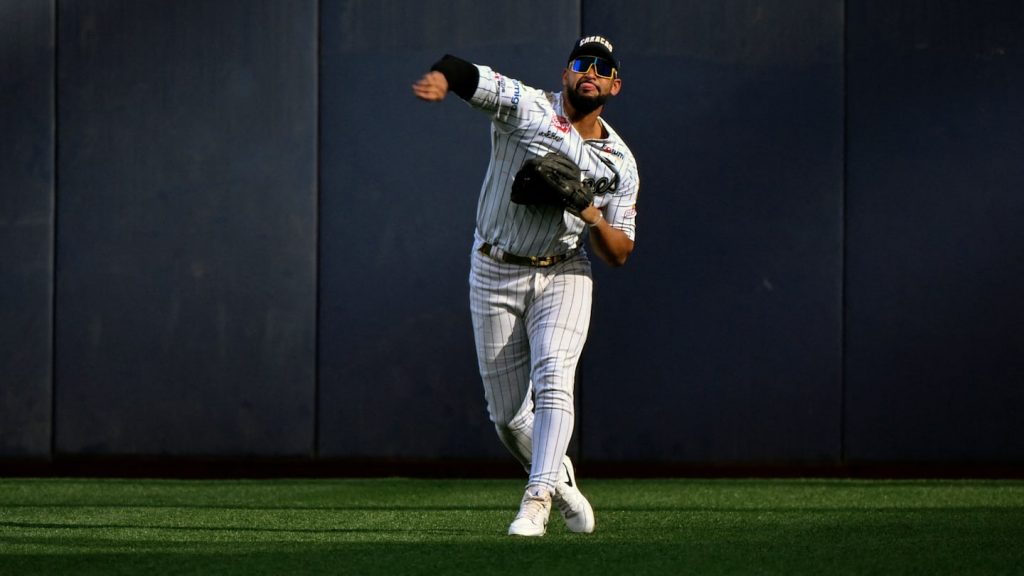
[(552, 181)]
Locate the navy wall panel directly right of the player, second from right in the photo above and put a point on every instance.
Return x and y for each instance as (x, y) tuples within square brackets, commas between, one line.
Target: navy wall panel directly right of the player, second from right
[(720, 341)]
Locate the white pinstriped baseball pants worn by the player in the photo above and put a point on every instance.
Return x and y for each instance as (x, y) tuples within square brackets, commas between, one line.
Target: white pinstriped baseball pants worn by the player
[(531, 325)]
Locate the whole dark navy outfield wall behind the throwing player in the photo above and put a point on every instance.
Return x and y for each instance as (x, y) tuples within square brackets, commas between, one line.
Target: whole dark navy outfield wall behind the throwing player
[(229, 231)]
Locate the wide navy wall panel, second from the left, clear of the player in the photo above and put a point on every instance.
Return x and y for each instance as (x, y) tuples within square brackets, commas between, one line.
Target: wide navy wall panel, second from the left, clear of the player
[(187, 228)]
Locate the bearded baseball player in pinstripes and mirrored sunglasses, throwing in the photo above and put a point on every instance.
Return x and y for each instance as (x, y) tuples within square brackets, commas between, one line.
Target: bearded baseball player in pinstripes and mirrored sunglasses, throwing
[(558, 172)]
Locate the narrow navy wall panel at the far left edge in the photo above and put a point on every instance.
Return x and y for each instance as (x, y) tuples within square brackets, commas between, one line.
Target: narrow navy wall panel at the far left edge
[(26, 227)]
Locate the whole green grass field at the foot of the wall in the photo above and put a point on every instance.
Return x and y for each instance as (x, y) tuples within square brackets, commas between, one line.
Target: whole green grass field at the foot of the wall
[(402, 526)]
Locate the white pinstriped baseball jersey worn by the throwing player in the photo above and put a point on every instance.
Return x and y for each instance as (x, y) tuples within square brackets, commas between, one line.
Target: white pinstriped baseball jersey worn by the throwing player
[(526, 124)]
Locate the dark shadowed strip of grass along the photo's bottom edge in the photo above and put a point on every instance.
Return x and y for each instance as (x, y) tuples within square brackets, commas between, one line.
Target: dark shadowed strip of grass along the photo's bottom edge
[(536, 558)]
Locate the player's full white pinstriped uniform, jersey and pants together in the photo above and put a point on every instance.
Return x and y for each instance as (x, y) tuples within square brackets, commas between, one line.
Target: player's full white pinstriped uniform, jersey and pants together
[(531, 324)]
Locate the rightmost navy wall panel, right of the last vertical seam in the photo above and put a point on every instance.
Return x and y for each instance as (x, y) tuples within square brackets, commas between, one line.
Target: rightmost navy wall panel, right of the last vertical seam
[(936, 232)]
